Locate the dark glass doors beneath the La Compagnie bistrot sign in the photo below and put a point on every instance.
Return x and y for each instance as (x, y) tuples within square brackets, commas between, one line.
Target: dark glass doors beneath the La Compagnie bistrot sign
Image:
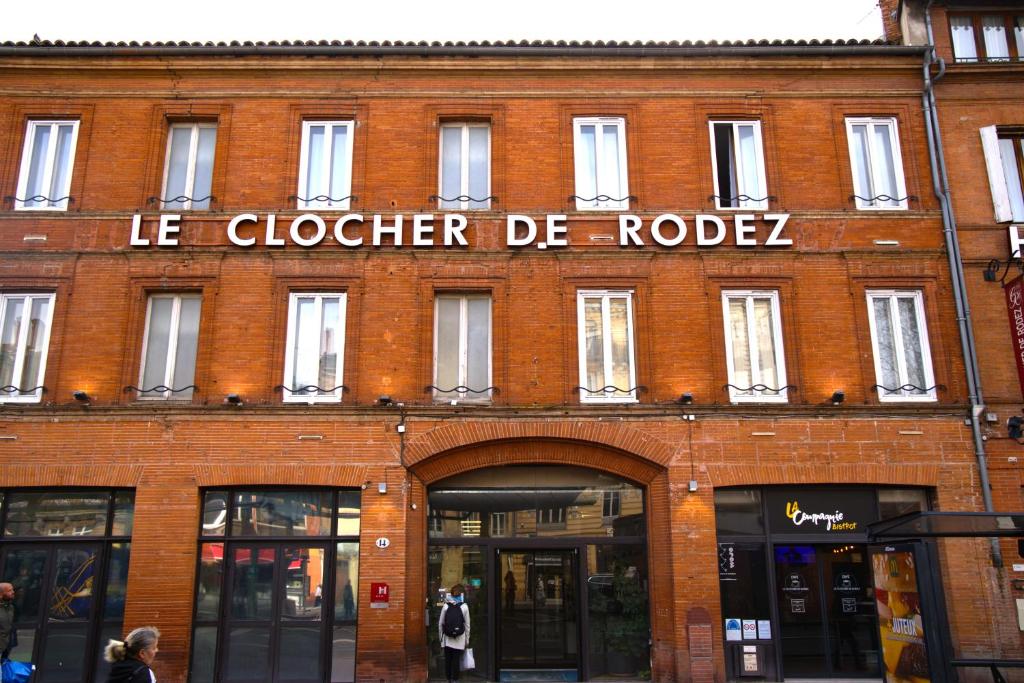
[(828, 618)]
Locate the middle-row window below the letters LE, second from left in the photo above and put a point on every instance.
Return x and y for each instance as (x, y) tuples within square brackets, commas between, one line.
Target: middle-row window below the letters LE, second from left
[(169, 347)]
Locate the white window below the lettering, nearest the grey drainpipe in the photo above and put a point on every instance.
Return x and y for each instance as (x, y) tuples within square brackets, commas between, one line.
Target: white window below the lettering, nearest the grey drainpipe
[(900, 339)]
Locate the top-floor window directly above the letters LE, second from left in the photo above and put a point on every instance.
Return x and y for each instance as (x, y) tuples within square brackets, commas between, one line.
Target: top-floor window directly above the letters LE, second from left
[(189, 172)]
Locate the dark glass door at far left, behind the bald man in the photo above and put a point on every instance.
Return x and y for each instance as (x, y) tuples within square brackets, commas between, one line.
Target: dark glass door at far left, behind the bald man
[(55, 604)]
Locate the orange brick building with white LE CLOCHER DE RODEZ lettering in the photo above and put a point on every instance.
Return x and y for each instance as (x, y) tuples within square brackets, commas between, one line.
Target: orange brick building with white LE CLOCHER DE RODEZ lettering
[(297, 336)]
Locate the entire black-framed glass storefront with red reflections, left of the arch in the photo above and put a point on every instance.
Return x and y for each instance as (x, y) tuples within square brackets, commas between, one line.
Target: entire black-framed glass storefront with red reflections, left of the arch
[(265, 596)]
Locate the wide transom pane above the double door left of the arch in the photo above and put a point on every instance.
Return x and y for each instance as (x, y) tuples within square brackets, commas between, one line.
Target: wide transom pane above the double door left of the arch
[(282, 514)]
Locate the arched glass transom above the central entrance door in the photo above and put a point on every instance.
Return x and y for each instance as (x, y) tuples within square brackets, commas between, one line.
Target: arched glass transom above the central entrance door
[(536, 502)]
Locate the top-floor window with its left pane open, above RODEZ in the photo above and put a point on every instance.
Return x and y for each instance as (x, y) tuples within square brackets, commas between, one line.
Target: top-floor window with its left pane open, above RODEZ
[(738, 162)]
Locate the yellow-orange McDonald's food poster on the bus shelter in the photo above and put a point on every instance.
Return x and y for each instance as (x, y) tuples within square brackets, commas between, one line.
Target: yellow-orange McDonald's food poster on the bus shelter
[(902, 625)]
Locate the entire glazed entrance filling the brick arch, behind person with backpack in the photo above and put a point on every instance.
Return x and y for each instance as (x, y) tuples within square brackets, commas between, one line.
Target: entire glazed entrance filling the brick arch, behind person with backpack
[(554, 563)]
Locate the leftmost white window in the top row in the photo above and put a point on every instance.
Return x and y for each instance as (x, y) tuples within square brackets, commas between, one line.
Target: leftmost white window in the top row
[(47, 165)]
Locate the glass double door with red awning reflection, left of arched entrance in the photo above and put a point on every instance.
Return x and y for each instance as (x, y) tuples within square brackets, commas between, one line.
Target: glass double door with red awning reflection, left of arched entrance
[(275, 619)]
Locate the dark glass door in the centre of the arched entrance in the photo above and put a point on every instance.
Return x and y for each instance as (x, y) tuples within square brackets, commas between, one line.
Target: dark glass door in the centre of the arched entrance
[(538, 615)]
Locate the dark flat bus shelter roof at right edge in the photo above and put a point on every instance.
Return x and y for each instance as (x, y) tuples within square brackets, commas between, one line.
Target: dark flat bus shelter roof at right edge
[(932, 525)]
